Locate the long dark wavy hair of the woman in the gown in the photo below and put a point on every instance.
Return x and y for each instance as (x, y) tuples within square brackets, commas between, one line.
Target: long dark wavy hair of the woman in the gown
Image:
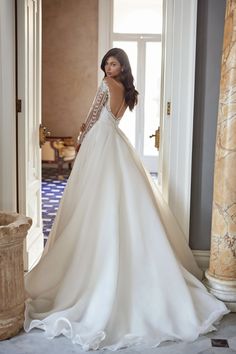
[(126, 77)]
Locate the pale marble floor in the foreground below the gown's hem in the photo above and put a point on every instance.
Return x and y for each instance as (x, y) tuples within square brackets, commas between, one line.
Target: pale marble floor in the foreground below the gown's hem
[(36, 343)]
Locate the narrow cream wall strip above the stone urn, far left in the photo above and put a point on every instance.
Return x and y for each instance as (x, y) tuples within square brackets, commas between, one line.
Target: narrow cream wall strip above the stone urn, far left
[(7, 107)]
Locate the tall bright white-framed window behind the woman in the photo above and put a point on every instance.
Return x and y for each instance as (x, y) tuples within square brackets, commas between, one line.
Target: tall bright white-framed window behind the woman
[(136, 27)]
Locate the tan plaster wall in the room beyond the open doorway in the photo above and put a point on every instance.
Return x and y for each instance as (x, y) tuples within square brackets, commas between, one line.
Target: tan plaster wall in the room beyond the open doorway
[(70, 63)]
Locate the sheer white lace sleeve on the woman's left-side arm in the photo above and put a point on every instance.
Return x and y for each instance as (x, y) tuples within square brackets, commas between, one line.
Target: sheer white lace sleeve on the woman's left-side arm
[(94, 112)]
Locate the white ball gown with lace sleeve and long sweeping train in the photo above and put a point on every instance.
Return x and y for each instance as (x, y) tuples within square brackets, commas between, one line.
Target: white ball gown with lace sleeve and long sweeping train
[(112, 274)]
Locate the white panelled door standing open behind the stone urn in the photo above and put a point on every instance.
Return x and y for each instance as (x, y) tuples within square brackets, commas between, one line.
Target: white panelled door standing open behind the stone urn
[(29, 119)]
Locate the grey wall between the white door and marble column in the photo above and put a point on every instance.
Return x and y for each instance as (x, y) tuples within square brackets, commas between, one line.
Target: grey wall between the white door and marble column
[(208, 62)]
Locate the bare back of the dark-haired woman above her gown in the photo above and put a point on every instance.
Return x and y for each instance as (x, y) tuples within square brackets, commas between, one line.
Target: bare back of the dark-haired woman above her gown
[(117, 99)]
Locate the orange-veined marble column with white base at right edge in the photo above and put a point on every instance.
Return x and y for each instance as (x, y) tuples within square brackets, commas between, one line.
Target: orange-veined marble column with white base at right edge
[(221, 275)]
